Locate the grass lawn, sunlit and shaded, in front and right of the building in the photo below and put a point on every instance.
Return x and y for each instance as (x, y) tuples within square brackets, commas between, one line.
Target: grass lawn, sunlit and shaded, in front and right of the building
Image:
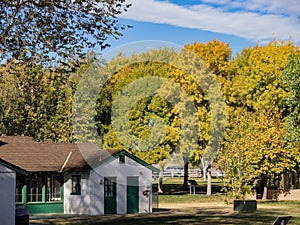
[(182, 208)]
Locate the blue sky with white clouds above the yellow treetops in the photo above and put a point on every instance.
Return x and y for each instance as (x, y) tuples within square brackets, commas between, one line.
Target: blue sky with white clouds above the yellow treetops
[(239, 23)]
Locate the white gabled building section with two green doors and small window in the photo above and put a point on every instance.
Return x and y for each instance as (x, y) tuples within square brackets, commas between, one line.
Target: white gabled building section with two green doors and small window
[(120, 184)]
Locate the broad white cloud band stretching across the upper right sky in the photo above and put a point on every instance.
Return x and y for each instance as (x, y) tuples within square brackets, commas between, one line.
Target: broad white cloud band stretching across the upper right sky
[(252, 19)]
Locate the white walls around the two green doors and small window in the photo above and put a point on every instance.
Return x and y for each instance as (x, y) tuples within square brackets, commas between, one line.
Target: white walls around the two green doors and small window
[(91, 200)]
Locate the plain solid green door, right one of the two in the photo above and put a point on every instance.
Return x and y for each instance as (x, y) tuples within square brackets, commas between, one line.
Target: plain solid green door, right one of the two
[(132, 194)]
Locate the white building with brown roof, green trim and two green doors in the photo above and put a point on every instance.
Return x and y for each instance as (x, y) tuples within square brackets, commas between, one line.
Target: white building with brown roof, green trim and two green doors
[(76, 178)]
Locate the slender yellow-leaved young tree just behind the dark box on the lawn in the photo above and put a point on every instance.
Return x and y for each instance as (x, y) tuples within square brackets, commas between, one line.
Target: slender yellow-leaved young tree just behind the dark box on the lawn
[(233, 155)]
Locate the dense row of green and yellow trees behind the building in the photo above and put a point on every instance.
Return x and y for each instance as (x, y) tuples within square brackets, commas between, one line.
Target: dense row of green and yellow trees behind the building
[(260, 88)]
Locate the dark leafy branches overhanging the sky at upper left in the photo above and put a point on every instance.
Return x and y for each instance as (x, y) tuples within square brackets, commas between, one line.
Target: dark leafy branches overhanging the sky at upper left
[(57, 29)]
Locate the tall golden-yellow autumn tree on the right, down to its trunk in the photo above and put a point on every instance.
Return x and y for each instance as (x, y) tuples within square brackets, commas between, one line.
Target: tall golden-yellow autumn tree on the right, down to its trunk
[(258, 90)]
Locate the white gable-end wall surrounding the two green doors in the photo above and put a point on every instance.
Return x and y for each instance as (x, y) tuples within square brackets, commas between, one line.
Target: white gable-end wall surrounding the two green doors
[(121, 172)]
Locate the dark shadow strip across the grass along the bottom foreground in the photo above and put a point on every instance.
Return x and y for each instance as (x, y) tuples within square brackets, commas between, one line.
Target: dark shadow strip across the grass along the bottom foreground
[(165, 216)]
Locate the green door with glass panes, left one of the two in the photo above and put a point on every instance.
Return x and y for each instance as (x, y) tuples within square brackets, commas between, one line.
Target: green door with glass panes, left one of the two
[(110, 195)]
